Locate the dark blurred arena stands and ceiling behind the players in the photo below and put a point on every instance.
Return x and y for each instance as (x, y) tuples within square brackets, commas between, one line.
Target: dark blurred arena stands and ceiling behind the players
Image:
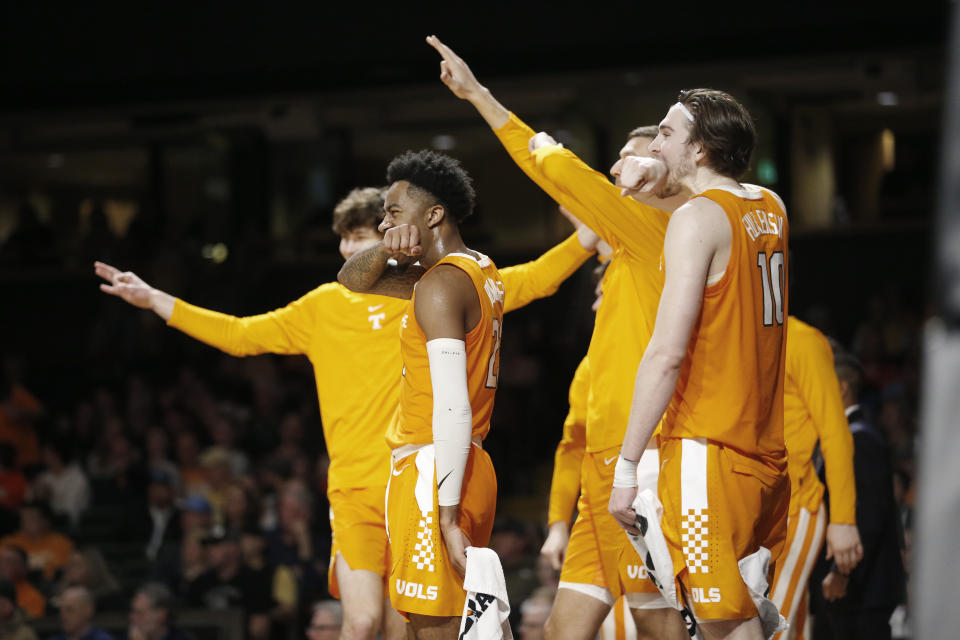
[(204, 146)]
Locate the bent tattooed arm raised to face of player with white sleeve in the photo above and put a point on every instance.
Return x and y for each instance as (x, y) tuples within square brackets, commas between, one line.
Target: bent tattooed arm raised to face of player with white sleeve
[(387, 267)]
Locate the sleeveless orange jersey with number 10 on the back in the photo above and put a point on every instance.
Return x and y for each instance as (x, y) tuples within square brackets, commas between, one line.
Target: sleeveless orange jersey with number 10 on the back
[(730, 388)]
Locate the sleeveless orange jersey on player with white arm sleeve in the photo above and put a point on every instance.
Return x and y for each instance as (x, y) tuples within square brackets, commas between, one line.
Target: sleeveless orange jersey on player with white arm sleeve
[(413, 421)]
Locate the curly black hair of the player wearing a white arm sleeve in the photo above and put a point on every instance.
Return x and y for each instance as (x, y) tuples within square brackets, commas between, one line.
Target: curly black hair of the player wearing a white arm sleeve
[(438, 175)]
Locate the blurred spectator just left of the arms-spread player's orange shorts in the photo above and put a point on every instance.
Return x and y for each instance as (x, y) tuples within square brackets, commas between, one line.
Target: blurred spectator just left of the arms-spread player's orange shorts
[(292, 544)]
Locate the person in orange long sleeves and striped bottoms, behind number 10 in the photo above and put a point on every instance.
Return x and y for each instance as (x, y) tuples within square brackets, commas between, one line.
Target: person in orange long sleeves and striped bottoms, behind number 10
[(813, 412)]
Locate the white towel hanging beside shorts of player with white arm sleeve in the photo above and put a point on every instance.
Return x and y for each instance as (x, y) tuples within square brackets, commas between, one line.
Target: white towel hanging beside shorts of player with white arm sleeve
[(487, 608)]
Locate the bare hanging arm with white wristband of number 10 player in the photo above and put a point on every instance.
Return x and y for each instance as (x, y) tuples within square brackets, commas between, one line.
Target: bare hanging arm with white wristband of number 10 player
[(688, 251)]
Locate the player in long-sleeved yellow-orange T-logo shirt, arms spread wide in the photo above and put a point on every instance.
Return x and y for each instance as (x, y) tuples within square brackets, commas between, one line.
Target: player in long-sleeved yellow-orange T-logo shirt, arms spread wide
[(342, 333)]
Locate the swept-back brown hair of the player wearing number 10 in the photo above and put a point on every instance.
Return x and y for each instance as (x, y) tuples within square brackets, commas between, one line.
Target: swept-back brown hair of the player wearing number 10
[(724, 127)]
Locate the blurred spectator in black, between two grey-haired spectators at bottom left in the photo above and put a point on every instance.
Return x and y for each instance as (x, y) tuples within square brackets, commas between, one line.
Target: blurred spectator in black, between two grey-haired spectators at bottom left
[(229, 584)]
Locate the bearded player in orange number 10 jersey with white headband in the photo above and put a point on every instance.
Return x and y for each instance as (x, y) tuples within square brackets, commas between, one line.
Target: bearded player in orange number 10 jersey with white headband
[(714, 370)]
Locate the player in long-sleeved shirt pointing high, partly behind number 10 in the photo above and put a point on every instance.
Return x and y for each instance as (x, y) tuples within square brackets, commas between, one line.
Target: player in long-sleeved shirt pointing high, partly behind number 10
[(599, 564)]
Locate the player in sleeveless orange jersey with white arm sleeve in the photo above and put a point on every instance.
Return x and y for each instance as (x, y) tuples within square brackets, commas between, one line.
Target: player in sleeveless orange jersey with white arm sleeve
[(442, 493)]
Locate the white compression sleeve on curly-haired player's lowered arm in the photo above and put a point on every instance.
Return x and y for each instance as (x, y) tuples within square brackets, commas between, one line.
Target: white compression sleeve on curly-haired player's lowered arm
[(452, 415)]
